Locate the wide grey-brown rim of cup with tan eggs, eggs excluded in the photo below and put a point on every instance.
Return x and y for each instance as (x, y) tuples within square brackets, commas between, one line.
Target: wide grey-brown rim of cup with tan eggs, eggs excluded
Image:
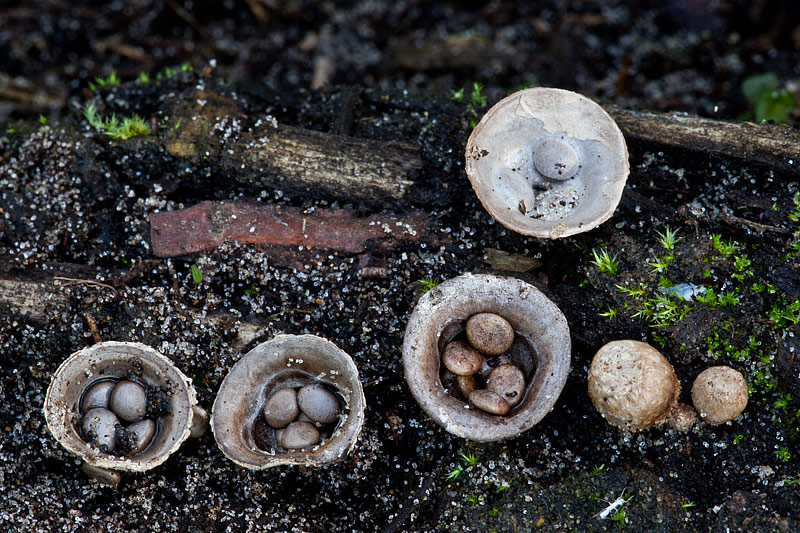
[(441, 315)]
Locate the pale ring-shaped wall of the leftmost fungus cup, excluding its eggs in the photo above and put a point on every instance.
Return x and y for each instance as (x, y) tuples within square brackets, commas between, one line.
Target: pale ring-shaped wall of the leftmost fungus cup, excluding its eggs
[(121, 360)]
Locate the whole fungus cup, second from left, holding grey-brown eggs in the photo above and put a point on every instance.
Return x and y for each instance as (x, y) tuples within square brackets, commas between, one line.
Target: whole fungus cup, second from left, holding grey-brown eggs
[(295, 399)]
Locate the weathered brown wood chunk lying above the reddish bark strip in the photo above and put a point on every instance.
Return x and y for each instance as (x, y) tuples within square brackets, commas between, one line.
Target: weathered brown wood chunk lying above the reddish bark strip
[(272, 155)]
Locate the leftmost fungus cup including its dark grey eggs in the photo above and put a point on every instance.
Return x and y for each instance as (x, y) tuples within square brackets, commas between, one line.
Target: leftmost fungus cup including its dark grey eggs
[(121, 406)]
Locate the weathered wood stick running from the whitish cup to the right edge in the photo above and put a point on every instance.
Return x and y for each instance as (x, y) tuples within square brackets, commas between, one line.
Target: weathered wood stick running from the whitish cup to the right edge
[(773, 145)]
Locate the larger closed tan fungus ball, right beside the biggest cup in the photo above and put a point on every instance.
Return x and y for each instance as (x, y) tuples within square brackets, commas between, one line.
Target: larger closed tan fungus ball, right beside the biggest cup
[(632, 385)]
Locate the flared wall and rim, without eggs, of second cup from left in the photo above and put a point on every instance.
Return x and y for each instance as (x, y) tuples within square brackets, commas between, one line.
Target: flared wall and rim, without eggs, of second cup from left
[(284, 362)]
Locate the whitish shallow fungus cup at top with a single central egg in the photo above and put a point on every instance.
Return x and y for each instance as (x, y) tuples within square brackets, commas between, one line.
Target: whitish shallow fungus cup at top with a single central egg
[(548, 163)]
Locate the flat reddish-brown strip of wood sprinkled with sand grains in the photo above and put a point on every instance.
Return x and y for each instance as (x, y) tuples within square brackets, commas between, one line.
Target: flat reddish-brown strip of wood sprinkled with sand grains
[(209, 224)]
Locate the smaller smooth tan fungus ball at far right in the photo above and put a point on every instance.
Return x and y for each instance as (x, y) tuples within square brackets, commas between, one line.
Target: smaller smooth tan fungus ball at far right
[(719, 394)]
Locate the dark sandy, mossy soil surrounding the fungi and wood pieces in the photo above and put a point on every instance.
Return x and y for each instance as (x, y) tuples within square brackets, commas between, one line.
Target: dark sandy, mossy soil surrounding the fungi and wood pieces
[(75, 203)]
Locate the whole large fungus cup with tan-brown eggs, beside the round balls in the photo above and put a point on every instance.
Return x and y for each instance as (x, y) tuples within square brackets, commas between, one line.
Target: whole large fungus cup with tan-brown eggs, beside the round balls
[(514, 389)]
